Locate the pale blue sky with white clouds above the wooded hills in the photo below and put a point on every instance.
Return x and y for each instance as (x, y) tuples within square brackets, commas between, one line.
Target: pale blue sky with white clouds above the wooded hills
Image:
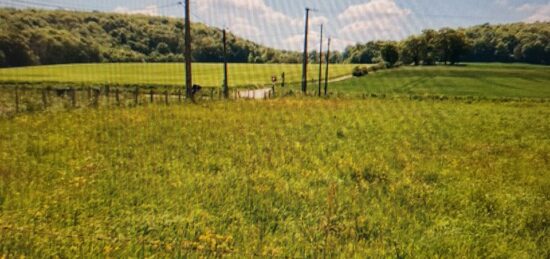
[(280, 23)]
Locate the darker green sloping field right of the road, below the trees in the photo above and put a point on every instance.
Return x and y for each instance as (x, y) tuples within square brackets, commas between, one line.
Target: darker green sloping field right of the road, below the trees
[(487, 80)]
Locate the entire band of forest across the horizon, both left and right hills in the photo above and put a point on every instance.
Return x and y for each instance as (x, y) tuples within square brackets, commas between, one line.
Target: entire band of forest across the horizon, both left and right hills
[(40, 37)]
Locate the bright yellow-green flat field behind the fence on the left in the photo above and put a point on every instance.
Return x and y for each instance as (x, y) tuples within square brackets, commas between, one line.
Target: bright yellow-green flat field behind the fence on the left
[(166, 74)]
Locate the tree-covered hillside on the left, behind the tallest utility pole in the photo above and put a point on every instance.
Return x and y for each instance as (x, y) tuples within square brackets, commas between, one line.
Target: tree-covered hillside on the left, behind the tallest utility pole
[(40, 37)]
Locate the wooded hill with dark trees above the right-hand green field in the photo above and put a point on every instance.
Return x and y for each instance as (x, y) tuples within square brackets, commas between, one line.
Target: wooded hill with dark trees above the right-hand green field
[(518, 42)]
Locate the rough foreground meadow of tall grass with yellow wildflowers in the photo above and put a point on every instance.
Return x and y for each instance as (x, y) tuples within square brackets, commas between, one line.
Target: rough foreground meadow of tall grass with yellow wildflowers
[(289, 178)]
